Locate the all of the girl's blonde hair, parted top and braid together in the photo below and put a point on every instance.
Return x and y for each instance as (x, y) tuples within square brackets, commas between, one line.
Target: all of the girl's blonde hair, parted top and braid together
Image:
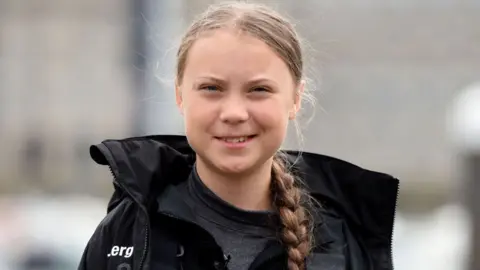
[(279, 34)]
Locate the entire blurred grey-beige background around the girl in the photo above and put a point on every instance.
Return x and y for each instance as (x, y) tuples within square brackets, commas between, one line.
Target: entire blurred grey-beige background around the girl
[(396, 84)]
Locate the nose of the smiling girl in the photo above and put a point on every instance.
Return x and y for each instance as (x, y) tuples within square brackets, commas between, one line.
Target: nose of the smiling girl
[(234, 110)]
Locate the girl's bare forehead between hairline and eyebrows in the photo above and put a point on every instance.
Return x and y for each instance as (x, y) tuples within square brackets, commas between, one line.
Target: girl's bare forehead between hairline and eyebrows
[(235, 55)]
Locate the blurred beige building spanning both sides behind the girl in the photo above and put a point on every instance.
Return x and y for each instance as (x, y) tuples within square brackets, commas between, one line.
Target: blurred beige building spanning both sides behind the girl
[(76, 72)]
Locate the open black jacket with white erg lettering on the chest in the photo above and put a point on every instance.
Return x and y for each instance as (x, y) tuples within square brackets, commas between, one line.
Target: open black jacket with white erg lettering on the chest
[(146, 218)]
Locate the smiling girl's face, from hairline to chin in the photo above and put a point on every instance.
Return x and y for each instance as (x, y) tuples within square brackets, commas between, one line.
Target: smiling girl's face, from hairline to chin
[(237, 97)]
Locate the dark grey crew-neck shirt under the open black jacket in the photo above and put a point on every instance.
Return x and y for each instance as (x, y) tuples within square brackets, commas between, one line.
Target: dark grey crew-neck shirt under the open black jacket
[(241, 234)]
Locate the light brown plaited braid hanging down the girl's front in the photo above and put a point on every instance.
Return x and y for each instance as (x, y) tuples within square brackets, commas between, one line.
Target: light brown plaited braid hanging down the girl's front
[(288, 198)]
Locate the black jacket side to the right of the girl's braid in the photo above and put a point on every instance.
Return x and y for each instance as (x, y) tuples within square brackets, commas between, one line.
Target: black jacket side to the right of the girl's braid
[(354, 224)]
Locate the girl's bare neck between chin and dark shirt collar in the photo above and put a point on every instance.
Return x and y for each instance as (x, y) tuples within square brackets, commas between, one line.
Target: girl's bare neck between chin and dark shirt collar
[(247, 191)]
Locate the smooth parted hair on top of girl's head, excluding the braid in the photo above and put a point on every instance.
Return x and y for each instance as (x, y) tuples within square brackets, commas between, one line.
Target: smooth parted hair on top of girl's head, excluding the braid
[(253, 19)]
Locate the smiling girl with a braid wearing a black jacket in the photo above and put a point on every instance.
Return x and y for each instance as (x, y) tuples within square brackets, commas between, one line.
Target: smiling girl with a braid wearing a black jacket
[(224, 196)]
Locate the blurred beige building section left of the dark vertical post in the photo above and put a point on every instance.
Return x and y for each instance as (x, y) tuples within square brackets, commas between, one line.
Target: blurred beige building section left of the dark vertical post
[(65, 82)]
